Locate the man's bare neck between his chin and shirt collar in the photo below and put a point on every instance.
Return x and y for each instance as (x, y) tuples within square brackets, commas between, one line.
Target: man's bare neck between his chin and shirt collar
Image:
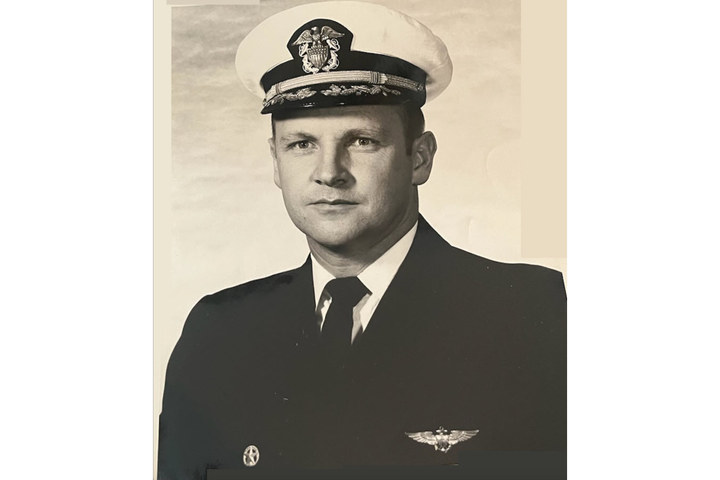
[(351, 262)]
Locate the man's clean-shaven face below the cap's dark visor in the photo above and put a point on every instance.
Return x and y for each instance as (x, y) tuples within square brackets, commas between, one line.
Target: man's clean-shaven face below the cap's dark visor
[(346, 177)]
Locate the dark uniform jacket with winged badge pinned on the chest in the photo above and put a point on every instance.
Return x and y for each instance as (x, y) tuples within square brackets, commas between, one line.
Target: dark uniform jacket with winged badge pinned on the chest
[(457, 341)]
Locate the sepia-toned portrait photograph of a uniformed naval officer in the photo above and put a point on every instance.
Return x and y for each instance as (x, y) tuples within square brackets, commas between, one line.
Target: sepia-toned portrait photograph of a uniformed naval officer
[(360, 233)]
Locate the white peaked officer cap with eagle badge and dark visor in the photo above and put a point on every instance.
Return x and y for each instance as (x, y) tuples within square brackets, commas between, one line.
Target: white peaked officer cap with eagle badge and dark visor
[(342, 53)]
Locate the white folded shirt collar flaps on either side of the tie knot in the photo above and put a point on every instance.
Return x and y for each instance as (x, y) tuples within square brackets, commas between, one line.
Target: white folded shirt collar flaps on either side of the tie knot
[(376, 276)]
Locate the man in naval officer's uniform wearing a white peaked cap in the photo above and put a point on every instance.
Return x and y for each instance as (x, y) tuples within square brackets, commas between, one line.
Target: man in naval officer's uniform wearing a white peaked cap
[(388, 346)]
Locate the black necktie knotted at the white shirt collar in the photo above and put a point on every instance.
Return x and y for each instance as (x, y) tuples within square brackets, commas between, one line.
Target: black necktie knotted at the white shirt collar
[(336, 334)]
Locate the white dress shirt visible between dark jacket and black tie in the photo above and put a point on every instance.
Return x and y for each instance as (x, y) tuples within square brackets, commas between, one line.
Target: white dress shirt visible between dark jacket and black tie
[(376, 277)]
